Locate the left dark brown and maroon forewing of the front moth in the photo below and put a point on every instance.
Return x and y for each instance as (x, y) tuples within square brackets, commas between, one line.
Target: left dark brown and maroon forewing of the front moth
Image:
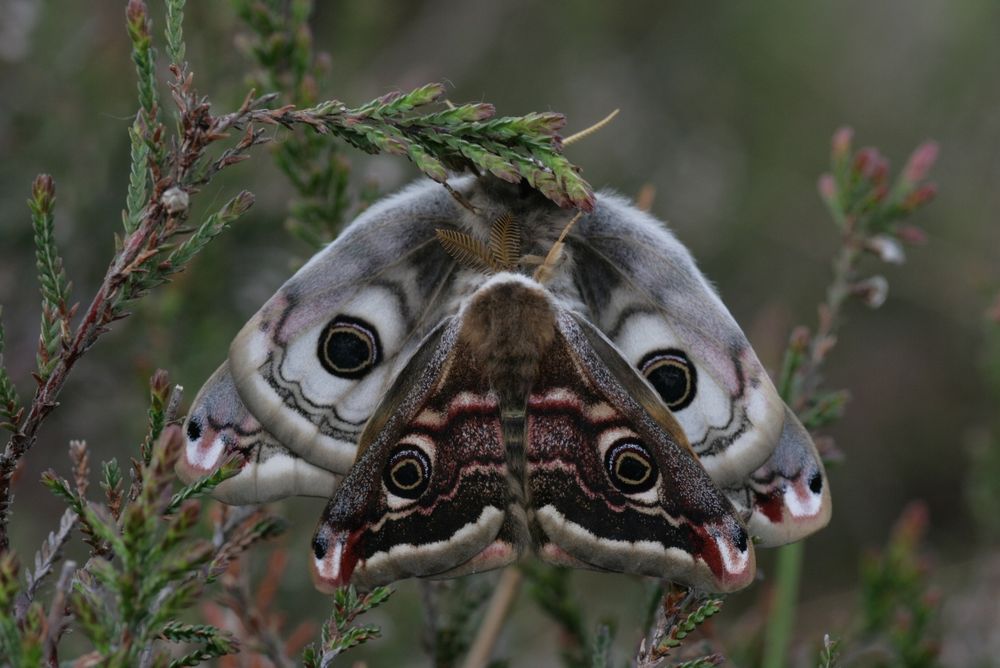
[(430, 494)]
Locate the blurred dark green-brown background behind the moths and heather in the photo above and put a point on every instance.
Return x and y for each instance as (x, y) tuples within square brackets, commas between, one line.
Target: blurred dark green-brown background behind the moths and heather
[(726, 110)]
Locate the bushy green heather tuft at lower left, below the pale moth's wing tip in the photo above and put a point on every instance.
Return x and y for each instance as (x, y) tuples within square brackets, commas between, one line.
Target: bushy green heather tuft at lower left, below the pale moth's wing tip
[(148, 564)]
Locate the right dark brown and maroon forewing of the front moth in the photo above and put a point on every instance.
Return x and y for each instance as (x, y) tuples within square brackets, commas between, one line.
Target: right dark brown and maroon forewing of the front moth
[(610, 488)]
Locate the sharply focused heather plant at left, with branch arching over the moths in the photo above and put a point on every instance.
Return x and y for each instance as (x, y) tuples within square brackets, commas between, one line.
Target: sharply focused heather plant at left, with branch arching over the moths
[(146, 565)]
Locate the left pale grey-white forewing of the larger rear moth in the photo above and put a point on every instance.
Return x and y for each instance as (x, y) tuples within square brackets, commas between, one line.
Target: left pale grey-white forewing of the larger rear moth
[(312, 363)]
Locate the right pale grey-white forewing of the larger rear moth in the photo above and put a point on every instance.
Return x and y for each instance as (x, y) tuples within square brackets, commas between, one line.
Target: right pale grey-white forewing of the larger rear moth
[(643, 289)]
